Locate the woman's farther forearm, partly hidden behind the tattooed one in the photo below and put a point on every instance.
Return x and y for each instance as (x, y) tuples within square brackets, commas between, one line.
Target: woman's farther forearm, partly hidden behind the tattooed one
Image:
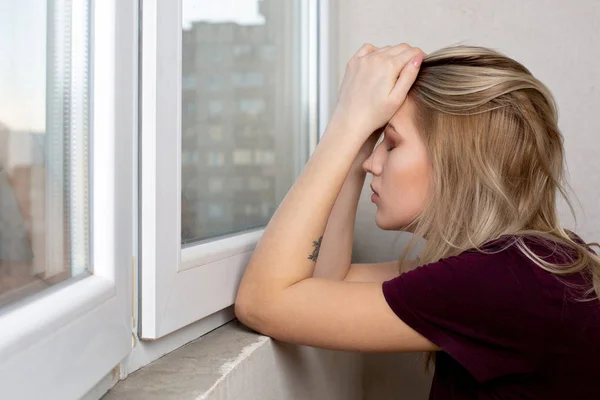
[(336, 246)]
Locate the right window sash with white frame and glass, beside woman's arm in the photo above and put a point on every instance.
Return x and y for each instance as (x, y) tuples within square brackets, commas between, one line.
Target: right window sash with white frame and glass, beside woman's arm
[(206, 230)]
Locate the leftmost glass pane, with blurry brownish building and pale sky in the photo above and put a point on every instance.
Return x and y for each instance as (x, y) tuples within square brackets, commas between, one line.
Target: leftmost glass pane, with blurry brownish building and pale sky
[(43, 144)]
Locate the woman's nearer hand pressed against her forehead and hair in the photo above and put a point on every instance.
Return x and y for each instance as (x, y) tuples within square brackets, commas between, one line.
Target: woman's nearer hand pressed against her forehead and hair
[(375, 85)]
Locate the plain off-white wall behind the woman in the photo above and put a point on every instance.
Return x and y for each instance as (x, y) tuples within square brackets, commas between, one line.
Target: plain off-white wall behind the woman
[(557, 40)]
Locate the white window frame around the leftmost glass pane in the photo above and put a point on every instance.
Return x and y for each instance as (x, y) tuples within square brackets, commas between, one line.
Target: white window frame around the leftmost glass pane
[(60, 343)]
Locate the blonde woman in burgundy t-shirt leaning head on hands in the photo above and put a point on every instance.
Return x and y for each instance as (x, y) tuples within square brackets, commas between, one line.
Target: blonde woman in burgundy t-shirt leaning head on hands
[(471, 159)]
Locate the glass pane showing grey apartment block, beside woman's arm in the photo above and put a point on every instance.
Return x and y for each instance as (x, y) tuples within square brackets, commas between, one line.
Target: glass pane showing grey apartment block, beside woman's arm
[(242, 140)]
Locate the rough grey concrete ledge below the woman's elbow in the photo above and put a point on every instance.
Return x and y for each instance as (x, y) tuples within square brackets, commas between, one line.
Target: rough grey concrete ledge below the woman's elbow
[(233, 362)]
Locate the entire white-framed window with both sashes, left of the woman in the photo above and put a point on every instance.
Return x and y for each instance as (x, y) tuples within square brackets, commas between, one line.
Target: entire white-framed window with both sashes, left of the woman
[(69, 127)]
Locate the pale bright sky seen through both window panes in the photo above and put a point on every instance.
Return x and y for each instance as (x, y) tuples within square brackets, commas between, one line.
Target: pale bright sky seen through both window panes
[(23, 52)]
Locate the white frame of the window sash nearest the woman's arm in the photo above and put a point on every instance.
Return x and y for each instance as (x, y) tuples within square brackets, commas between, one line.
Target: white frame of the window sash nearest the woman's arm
[(181, 286)]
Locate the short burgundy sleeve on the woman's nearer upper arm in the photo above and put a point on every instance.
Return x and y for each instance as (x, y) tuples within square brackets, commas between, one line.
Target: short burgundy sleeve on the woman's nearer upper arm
[(481, 309)]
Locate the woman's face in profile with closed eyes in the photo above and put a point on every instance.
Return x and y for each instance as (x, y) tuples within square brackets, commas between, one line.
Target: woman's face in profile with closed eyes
[(401, 172)]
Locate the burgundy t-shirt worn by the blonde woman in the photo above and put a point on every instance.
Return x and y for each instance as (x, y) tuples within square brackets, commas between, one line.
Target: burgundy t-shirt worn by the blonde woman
[(507, 329)]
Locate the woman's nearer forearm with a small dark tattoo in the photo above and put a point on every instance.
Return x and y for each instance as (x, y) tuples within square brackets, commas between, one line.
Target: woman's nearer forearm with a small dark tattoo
[(287, 251)]
